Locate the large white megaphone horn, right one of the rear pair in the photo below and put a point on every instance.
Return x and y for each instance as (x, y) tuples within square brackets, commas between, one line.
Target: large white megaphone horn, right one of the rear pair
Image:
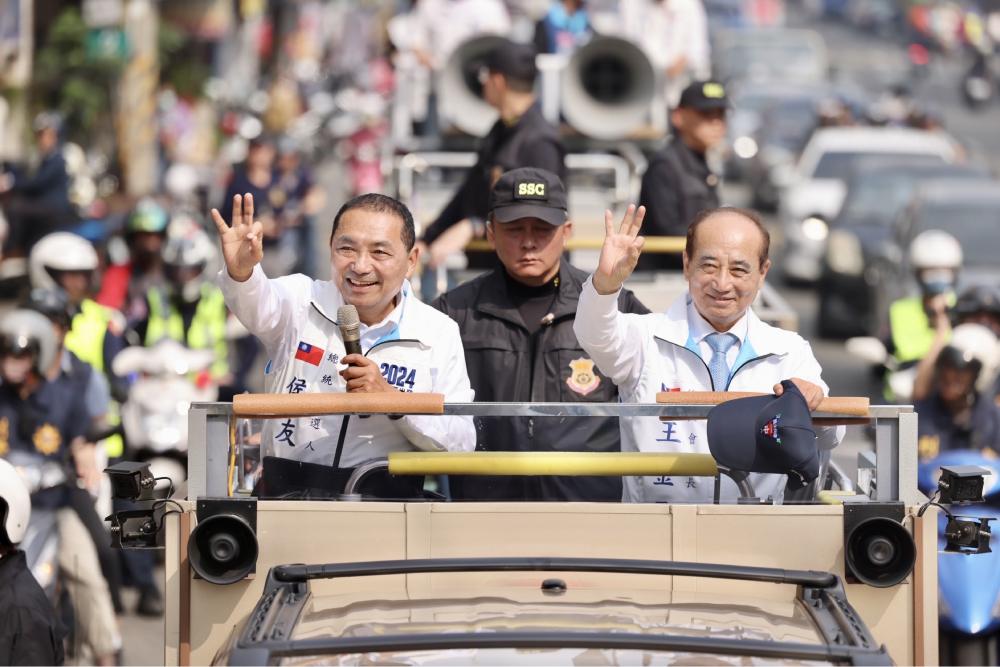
[(607, 88)]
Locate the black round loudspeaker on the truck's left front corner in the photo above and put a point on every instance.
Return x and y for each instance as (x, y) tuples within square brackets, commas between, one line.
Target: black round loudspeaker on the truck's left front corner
[(222, 548)]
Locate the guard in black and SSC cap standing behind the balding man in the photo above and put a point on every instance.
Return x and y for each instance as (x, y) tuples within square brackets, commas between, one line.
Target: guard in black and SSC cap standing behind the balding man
[(678, 185)]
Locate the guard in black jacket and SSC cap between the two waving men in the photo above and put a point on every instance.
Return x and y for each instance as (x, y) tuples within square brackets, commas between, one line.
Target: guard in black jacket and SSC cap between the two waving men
[(516, 324)]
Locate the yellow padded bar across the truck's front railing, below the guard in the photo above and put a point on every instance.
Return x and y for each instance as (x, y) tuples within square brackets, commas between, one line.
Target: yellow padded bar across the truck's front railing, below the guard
[(611, 464)]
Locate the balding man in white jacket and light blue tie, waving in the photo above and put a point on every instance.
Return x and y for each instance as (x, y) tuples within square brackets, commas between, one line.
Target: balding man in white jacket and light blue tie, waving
[(709, 340)]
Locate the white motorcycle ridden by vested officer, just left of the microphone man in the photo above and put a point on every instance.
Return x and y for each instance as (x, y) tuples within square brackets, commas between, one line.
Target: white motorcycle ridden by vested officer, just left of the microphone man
[(164, 381)]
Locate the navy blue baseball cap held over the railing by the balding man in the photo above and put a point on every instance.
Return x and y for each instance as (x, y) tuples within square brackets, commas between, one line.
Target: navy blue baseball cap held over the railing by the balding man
[(771, 434)]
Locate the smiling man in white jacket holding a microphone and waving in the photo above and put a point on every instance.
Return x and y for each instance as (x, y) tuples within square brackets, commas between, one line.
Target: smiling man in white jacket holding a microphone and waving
[(406, 345)]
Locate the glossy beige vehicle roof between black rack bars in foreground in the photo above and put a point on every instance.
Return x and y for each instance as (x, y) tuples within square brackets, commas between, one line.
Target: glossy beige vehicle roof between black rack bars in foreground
[(389, 613)]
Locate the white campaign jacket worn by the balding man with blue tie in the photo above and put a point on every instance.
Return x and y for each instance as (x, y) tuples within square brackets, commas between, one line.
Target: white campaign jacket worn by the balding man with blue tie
[(647, 354)]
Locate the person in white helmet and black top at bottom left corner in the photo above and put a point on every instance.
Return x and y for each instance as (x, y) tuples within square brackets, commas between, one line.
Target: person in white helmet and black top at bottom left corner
[(30, 631)]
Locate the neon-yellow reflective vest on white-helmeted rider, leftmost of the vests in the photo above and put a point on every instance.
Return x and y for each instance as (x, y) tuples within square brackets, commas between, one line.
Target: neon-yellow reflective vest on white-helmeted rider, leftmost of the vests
[(88, 339)]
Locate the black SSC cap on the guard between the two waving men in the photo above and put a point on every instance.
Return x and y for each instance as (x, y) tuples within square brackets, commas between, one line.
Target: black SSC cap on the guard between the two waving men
[(529, 192)]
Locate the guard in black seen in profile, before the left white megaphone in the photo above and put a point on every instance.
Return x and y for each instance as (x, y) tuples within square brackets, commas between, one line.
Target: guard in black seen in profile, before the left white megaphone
[(521, 138)]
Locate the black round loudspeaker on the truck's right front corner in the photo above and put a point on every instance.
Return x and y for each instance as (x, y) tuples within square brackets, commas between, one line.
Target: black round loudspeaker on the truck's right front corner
[(878, 550)]
